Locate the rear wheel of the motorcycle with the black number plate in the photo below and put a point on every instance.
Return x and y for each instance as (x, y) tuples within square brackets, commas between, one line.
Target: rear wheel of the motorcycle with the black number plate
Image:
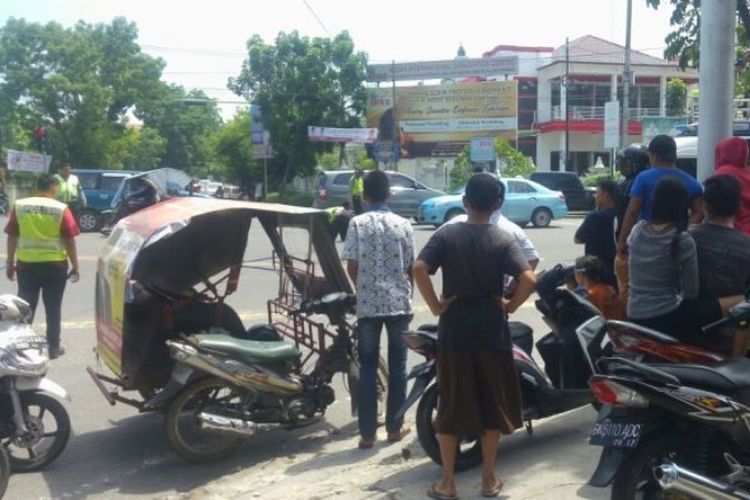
[(635, 478)]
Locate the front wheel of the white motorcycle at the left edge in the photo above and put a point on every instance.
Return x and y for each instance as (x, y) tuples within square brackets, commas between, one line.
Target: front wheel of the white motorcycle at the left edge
[(45, 438)]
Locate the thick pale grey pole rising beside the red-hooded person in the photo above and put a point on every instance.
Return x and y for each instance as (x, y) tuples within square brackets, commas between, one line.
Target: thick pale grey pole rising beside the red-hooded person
[(716, 100)]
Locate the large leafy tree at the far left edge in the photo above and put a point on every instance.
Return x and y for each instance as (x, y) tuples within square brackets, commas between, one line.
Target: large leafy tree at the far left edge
[(78, 82)]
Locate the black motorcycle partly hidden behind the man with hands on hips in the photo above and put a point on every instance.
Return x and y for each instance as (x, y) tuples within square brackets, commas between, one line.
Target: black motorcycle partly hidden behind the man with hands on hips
[(576, 339)]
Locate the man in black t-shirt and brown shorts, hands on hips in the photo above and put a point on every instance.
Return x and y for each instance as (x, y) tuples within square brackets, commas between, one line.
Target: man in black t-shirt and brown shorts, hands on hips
[(478, 384)]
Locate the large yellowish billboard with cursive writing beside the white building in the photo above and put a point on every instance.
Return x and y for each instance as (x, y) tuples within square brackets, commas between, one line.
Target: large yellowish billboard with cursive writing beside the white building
[(439, 120)]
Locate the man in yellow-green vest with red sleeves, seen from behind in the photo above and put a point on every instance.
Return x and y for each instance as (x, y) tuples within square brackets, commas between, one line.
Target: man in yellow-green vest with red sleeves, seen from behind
[(41, 240)]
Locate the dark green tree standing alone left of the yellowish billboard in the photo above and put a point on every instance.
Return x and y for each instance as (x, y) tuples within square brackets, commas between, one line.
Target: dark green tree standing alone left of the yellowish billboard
[(298, 82)]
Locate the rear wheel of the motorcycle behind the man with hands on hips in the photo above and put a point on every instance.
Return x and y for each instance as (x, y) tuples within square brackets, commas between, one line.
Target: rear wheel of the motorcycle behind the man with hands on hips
[(469, 453)]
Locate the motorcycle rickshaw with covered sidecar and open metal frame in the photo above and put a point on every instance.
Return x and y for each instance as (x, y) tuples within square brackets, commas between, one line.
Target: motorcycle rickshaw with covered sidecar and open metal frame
[(164, 327)]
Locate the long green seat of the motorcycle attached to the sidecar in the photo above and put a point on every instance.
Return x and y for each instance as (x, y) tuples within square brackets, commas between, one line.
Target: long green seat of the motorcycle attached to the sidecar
[(249, 350)]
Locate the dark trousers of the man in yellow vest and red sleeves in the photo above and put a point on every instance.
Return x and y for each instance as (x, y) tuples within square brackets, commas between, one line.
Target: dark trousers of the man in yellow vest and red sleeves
[(48, 278)]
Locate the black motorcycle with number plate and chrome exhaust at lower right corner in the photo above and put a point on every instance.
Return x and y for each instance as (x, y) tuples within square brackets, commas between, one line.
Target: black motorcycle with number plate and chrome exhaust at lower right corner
[(675, 429)]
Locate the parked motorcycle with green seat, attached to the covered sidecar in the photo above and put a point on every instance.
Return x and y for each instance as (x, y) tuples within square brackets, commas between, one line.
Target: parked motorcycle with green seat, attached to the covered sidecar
[(235, 388)]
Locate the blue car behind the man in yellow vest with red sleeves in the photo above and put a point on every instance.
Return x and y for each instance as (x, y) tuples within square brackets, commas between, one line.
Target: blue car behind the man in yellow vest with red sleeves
[(100, 187)]
